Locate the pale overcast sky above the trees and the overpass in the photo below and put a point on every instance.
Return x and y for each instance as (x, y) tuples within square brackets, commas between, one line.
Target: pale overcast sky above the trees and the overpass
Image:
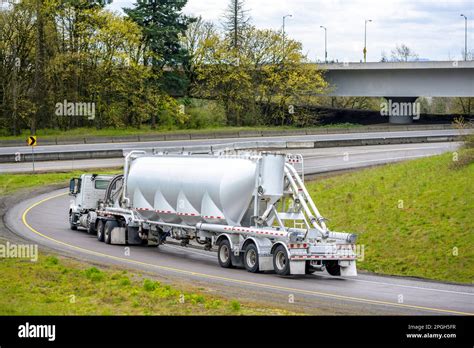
[(434, 29)]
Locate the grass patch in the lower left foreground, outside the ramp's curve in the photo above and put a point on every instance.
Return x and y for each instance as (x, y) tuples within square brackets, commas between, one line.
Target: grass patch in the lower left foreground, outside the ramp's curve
[(53, 286)]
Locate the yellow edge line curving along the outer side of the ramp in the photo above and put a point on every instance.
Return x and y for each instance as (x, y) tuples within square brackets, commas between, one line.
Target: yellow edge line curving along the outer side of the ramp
[(203, 275)]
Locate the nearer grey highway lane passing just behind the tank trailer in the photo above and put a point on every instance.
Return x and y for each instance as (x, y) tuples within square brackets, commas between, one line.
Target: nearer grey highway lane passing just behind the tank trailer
[(316, 160)]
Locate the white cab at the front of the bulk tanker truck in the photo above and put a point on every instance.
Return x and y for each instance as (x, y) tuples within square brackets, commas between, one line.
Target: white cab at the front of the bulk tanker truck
[(87, 192)]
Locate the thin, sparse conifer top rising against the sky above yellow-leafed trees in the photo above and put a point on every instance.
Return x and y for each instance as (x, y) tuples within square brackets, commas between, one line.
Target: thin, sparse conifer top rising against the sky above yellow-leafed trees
[(236, 20)]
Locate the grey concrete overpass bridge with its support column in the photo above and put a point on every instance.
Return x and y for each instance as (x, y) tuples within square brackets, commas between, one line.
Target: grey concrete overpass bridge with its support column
[(401, 83)]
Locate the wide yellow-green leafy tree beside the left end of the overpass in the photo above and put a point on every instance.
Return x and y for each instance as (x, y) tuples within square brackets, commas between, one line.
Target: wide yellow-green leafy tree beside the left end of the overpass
[(257, 83)]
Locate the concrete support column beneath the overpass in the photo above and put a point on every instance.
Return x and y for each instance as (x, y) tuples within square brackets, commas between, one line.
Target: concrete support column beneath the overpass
[(401, 110)]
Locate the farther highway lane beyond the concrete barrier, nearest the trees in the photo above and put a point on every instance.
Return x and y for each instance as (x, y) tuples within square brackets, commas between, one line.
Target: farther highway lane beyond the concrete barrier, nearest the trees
[(155, 144)]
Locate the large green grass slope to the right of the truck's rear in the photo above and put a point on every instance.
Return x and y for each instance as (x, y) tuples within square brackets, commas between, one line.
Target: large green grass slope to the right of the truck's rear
[(414, 218)]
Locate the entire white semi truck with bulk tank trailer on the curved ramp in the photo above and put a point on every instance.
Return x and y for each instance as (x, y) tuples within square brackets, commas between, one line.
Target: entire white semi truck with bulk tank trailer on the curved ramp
[(253, 208)]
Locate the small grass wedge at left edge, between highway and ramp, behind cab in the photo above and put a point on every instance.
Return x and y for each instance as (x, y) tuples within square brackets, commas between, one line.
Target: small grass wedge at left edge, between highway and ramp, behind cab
[(10, 183)]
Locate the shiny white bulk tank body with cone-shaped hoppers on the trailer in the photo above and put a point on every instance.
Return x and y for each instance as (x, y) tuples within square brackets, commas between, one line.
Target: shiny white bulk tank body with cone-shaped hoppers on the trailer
[(188, 190)]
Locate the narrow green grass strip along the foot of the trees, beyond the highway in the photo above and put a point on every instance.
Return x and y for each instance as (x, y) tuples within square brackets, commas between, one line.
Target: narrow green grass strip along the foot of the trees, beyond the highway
[(146, 130)]
